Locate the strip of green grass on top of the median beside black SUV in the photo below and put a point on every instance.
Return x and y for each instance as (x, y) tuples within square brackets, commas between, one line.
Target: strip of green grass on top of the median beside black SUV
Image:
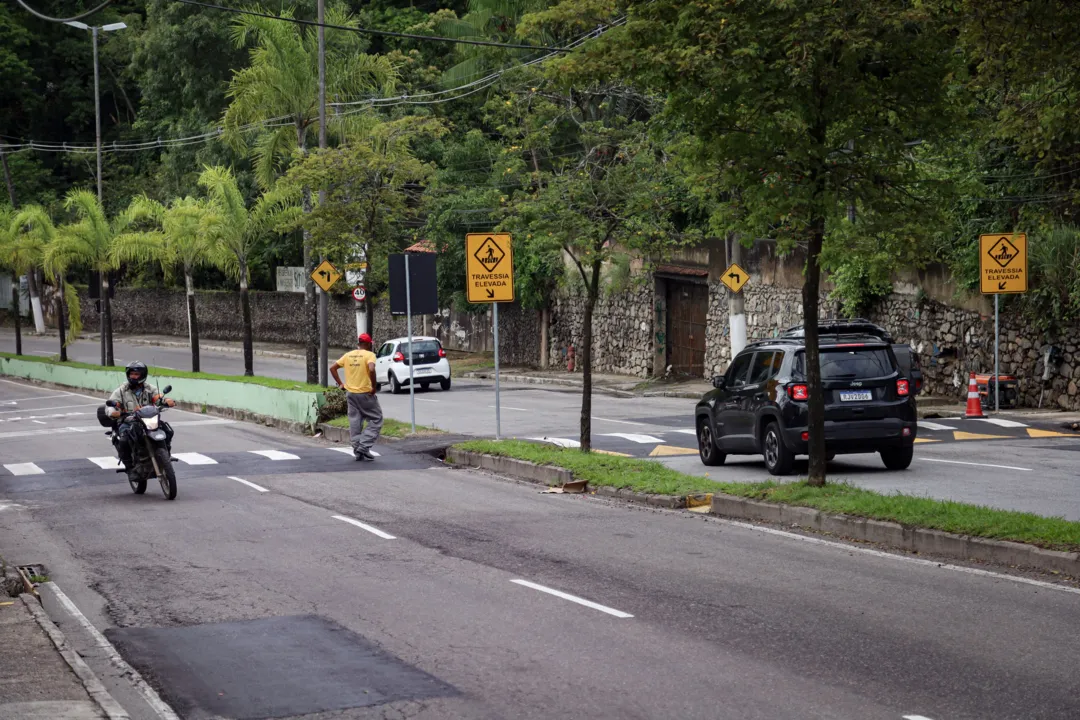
[(651, 477)]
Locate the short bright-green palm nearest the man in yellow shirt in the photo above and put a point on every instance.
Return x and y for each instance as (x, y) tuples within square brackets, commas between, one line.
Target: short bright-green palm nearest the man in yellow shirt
[(235, 230)]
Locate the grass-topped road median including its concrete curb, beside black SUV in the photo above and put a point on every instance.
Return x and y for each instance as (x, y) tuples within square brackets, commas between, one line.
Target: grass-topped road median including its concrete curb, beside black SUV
[(916, 525)]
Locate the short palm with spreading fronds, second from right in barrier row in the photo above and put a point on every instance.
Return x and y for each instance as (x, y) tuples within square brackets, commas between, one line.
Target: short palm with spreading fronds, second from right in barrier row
[(180, 241)]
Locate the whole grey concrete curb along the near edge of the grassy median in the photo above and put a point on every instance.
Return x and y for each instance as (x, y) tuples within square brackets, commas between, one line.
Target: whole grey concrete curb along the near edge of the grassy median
[(894, 535)]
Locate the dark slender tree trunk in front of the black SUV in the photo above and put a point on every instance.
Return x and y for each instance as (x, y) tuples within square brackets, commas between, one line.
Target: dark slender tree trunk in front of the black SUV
[(817, 401)]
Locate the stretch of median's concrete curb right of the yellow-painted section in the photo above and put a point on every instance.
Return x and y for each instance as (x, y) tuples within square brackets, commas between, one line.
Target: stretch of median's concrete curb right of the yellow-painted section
[(915, 540)]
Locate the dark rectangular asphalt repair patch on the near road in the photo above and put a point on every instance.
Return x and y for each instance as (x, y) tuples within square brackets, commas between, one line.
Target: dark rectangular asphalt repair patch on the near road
[(271, 669)]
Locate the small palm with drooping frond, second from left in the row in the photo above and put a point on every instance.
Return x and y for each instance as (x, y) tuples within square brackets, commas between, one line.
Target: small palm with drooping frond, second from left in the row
[(36, 235)]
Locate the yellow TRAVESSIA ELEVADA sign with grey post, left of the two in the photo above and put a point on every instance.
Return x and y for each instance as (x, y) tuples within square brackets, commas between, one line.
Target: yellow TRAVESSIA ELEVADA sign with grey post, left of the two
[(490, 278)]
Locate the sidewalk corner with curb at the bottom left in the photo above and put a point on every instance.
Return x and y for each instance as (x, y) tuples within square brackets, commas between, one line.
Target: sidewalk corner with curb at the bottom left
[(42, 677)]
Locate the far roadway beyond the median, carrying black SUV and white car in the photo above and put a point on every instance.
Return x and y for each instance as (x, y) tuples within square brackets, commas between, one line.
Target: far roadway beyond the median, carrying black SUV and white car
[(1009, 464)]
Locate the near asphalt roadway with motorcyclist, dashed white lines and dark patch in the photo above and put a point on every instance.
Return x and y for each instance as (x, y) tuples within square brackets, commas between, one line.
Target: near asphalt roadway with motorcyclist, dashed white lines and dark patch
[(321, 588)]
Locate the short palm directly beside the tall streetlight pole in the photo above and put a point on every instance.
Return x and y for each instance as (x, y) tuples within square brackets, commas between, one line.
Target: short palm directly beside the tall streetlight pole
[(89, 242)]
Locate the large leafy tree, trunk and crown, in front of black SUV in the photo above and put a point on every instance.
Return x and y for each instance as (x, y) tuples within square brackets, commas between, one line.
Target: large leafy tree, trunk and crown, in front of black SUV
[(792, 84)]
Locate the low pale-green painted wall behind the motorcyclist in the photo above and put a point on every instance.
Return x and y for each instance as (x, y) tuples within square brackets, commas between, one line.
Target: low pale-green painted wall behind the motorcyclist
[(293, 406)]
